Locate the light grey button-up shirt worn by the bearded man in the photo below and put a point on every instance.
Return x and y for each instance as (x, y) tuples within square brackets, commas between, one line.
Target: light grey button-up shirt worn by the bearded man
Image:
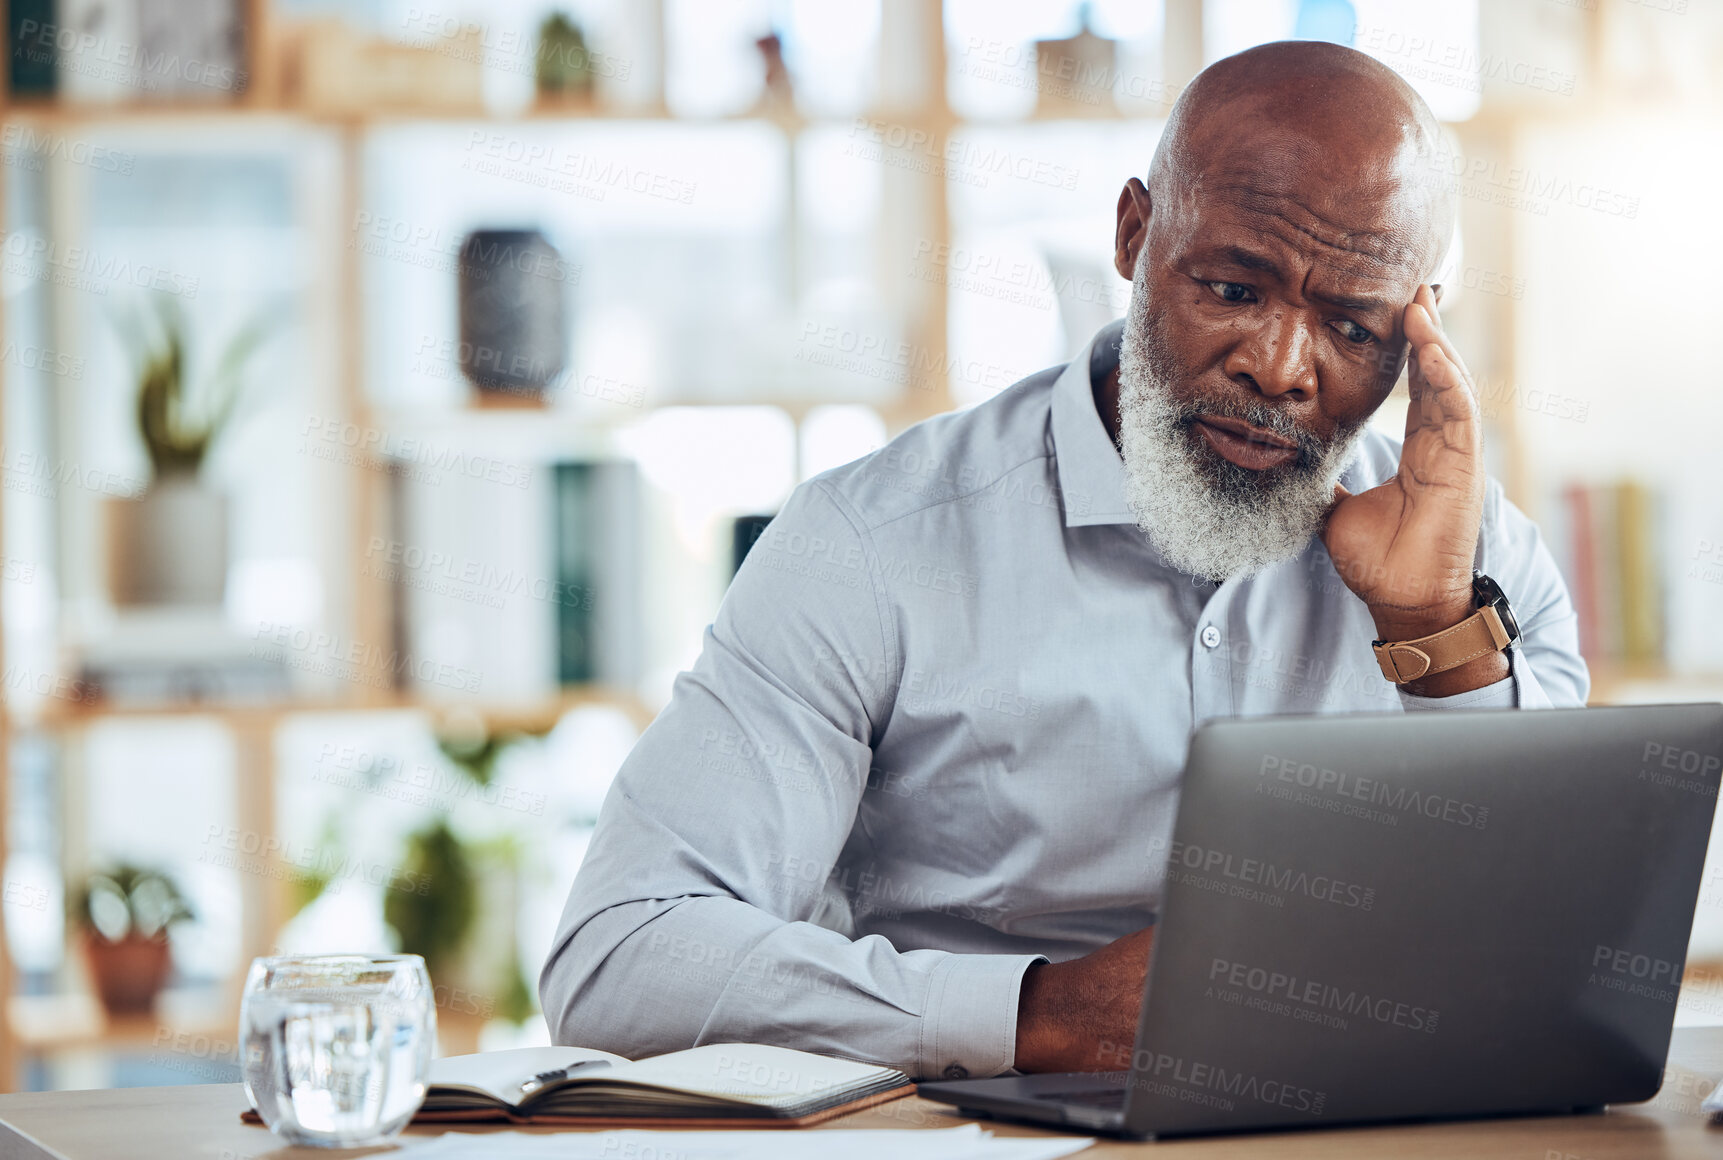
[(936, 733)]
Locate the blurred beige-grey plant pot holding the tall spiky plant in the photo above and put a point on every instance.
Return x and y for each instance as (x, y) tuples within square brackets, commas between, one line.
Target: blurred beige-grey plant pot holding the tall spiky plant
[(170, 546)]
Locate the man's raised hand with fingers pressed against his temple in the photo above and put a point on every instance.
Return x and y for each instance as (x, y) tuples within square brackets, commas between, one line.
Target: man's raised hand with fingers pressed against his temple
[(1407, 547)]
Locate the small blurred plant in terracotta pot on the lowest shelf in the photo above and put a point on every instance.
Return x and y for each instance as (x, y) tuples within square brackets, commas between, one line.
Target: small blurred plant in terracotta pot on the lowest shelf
[(127, 914)]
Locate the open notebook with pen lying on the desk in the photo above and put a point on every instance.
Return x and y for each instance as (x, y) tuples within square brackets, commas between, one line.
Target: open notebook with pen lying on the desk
[(730, 1085)]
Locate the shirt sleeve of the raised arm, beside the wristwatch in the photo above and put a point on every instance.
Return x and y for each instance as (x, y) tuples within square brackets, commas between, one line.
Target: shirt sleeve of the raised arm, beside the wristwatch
[(1546, 664)]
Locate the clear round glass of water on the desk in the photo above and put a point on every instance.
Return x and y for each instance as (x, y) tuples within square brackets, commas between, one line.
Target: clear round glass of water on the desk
[(335, 1049)]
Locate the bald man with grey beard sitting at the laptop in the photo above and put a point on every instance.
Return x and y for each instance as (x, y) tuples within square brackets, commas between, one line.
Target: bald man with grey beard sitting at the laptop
[(914, 801)]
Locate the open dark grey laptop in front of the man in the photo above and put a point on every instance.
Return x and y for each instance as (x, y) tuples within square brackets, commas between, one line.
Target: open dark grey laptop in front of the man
[(1398, 918)]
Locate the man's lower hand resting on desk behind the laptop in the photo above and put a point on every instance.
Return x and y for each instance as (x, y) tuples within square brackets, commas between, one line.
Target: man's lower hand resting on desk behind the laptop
[(1081, 1016)]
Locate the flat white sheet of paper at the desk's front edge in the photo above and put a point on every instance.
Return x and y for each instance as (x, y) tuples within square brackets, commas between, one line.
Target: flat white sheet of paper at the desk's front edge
[(954, 1144)]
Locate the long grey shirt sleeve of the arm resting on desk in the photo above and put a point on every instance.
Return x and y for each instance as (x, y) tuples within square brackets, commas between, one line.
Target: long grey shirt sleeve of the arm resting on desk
[(700, 913)]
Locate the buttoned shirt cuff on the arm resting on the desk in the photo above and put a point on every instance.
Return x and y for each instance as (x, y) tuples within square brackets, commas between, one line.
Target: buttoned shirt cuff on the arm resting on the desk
[(969, 1025)]
